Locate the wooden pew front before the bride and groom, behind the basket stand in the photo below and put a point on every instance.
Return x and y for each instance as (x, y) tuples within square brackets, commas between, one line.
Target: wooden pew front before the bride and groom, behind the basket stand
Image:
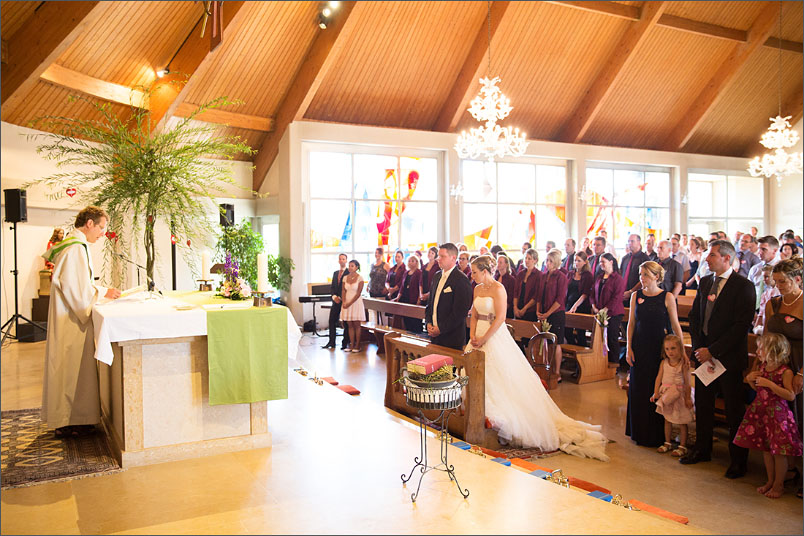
[(469, 421)]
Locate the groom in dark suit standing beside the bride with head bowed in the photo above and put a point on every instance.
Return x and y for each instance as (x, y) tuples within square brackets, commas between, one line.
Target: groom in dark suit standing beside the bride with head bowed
[(450, 301)]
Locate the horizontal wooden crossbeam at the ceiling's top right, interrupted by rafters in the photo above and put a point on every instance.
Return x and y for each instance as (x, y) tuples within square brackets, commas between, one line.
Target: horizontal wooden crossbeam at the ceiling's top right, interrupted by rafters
[(680, 23)]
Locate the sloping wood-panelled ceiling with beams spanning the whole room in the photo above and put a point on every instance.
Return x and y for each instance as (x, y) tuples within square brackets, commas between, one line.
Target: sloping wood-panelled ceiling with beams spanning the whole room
[(698, 77)]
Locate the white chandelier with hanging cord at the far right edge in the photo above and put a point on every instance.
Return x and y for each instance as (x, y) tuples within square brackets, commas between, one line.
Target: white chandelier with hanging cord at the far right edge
[(779, 137)]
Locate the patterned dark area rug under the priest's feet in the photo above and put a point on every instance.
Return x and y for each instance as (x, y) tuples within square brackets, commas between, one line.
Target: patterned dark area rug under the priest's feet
[(31, 454)]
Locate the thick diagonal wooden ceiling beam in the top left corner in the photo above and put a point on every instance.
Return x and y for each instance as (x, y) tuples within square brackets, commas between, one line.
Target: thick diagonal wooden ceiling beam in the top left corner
[(46, 34)]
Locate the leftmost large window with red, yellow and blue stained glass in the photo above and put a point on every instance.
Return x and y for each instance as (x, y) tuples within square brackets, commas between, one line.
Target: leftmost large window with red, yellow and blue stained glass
[(361, 201)]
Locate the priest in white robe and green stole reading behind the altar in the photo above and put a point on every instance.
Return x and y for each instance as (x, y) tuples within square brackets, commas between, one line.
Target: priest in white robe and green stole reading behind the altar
[(71, 396)]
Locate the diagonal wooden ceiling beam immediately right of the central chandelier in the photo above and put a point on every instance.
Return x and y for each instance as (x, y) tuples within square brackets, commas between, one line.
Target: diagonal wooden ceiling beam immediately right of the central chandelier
[(592, 101)]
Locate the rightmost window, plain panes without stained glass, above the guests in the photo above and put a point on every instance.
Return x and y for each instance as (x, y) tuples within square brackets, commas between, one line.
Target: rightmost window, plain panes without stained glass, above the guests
[(724, 202)]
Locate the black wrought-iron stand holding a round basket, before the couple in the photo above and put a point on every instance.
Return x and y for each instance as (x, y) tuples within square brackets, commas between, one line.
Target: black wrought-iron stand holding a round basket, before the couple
[(444, 397)]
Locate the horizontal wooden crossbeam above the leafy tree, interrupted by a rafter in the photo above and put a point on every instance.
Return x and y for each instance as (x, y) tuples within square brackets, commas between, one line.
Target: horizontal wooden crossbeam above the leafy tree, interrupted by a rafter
[(109, 91)]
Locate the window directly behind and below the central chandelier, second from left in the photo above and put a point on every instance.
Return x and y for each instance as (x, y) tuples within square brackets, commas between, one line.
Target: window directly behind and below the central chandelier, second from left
[(508, 204)]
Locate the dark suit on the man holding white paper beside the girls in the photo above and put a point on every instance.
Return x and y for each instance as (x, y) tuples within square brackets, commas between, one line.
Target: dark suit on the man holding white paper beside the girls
[(727, 340)]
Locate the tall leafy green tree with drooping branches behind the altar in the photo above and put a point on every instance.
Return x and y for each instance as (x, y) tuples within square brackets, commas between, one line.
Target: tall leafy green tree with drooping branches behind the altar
[(142, 175)]
